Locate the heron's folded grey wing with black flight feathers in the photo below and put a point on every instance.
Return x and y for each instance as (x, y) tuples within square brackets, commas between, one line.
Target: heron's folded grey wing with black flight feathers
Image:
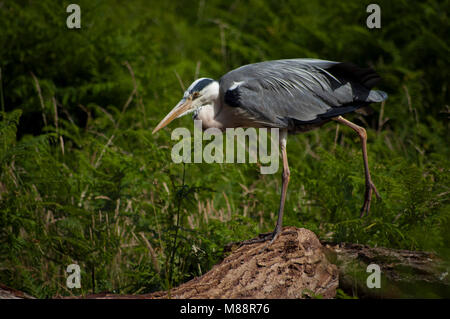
[(288, 93)]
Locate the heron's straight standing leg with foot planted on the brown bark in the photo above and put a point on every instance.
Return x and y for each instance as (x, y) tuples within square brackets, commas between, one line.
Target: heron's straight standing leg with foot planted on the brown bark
[(285, 181)]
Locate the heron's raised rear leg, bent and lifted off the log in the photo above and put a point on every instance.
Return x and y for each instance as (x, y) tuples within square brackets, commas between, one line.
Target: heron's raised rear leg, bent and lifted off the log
[(369, 184)]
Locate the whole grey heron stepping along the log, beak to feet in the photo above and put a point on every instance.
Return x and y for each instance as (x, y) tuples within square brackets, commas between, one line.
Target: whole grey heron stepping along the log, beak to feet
[(294, 95)]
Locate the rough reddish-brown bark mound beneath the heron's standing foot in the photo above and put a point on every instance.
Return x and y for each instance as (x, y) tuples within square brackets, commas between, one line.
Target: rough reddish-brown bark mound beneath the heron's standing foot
[(294, 266)]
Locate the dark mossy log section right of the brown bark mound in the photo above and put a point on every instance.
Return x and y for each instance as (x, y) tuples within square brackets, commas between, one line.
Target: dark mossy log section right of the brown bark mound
[(404, 273)]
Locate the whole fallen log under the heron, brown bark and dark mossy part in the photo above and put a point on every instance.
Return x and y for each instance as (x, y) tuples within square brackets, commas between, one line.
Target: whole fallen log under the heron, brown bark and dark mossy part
[(298, 265)]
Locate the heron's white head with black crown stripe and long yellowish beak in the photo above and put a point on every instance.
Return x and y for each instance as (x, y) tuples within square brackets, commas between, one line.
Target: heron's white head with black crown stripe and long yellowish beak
[(201, 92)]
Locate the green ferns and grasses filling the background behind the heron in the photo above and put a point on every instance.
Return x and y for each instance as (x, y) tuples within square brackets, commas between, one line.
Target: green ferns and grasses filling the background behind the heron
[(83, 180)]
